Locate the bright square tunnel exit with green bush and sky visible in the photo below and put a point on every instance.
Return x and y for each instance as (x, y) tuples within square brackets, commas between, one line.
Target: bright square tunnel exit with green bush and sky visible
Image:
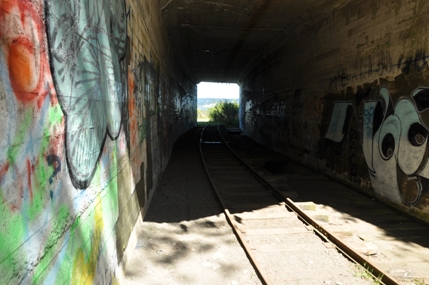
[(218, 102)]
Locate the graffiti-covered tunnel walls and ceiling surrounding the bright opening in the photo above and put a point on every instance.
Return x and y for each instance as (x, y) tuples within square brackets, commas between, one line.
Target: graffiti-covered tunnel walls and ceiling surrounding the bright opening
[(94, 94)]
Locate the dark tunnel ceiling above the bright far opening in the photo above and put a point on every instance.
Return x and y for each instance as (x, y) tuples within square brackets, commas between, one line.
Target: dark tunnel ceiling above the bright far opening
[(221, 40)]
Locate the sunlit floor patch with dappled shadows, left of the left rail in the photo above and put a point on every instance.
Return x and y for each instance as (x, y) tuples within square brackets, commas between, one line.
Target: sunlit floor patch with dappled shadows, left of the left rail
[(202, 251)]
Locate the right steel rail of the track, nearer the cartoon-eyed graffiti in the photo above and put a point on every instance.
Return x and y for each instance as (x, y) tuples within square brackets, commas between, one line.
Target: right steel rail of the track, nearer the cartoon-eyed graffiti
[(369, 266)]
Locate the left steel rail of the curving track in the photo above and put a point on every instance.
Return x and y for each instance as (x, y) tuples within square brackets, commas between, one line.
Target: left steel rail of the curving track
[(262, 276)]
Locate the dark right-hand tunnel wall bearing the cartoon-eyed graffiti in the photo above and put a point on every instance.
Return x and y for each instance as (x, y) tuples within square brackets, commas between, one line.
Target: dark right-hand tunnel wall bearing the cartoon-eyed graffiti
[(349, 96)]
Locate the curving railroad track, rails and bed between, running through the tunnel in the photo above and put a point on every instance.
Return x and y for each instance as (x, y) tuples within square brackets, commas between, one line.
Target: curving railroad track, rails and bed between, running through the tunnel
[(285, 243)]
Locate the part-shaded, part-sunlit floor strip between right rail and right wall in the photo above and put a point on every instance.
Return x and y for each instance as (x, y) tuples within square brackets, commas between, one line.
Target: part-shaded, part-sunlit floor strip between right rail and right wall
[(395, 243)]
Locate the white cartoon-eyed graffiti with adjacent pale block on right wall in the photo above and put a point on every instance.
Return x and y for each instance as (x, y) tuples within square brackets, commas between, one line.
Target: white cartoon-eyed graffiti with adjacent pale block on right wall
[(394, 142)]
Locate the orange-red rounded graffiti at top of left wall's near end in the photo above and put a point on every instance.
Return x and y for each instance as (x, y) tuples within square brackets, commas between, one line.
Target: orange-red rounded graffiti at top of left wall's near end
[(24, 47)]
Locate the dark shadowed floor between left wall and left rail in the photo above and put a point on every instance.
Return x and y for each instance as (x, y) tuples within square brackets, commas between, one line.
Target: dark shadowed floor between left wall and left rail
[(184, 192)]
